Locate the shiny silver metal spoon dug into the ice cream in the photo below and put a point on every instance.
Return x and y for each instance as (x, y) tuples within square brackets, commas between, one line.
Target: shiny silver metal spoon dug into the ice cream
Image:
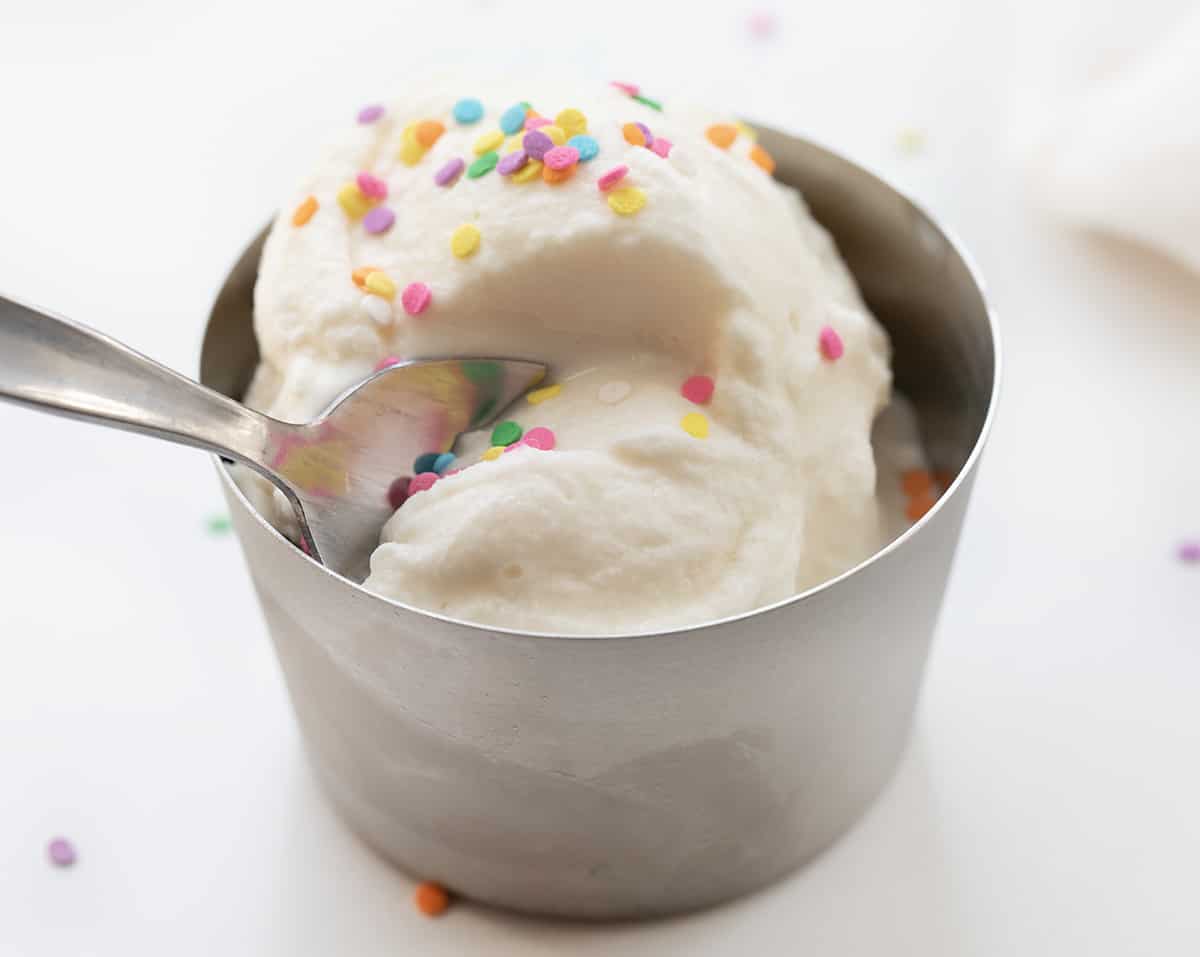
[(337, 471)]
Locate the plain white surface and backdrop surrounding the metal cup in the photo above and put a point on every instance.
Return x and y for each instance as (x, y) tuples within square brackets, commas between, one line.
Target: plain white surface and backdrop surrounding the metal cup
[(1049, 803)]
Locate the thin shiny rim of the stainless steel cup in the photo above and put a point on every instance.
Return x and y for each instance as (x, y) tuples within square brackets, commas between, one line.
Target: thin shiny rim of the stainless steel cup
[(893, 546)]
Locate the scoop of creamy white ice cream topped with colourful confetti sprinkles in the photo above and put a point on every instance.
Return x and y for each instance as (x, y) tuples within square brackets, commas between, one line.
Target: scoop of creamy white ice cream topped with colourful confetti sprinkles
[(659, 504)]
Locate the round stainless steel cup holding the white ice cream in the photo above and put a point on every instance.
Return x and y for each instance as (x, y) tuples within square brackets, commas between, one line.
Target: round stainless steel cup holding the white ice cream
[(638, 777)]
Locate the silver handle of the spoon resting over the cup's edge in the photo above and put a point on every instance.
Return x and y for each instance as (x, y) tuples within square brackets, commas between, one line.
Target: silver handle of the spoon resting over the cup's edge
[(62, 368)]
